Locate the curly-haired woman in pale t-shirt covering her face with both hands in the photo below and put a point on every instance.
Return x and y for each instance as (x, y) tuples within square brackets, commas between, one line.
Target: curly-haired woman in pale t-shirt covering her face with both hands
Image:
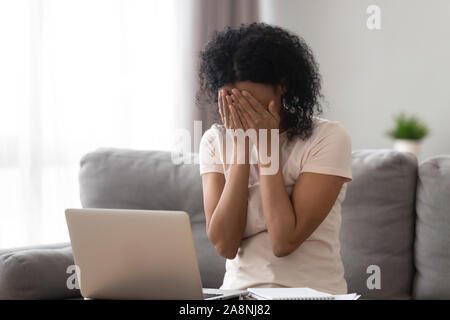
[(279, 229)]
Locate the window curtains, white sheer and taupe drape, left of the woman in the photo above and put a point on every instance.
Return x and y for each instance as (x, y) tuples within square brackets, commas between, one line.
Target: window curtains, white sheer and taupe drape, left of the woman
[(76, 75)]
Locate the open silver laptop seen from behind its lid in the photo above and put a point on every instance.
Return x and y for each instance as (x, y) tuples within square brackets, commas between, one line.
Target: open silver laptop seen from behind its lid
[(137, 254)]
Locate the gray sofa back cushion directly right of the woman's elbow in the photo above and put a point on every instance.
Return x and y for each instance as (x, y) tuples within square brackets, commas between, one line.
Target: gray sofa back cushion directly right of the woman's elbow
[(377, 231)]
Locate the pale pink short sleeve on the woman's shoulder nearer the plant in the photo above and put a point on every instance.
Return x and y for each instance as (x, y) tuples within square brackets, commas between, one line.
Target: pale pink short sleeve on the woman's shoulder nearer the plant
[(330, 152)]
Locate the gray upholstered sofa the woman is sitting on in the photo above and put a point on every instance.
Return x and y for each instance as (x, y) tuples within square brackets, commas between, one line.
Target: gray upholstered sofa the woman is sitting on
[(395, 223)]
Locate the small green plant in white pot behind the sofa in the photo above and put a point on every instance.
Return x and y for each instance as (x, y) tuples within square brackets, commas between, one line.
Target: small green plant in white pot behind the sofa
[(408, 133)]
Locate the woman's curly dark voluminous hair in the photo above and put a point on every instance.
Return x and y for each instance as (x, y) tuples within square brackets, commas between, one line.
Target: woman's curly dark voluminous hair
[(266, 54)]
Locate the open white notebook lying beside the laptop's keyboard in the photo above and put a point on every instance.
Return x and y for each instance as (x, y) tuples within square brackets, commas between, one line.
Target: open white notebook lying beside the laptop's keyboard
[(288, 294)]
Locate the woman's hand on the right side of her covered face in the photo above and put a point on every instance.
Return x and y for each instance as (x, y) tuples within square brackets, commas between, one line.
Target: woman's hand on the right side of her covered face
[(253, 114)]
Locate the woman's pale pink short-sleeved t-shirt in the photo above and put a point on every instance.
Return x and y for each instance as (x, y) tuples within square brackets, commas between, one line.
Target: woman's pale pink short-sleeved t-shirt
[(316, 263)]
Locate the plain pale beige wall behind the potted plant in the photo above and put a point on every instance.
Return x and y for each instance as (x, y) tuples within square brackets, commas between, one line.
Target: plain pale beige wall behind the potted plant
[(370, 75)]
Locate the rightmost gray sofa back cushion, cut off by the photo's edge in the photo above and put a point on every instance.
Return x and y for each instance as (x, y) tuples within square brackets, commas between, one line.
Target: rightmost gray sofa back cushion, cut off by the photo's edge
[(432, 245)]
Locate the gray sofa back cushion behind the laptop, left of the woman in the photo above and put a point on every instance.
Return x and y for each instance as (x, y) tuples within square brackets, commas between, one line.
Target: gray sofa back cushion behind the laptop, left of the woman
[(132, 179)]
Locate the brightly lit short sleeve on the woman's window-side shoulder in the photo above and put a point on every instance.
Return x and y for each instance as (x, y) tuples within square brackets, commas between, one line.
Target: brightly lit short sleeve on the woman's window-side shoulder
[(209, 155)]
